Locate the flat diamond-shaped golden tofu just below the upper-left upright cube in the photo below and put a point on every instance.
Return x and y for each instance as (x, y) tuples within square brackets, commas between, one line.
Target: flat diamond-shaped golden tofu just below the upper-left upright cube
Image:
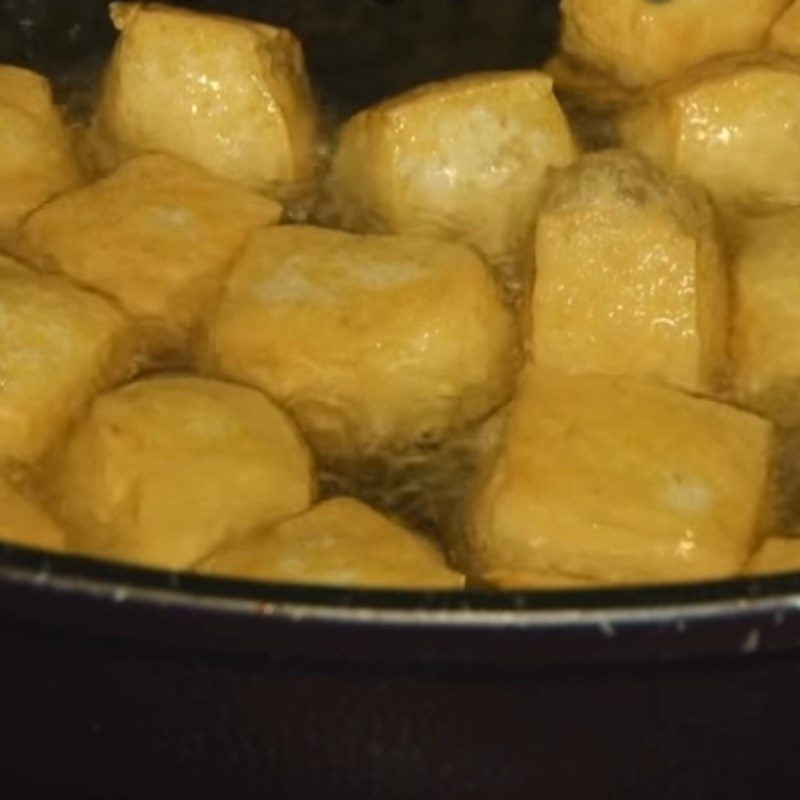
[(158, 236)]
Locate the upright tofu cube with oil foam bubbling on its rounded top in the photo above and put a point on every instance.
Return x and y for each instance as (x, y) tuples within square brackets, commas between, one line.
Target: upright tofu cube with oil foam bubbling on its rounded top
[(629, 279)]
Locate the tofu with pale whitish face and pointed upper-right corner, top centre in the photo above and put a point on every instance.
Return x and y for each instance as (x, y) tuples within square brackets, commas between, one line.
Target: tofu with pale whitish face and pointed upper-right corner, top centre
[(465, 160)]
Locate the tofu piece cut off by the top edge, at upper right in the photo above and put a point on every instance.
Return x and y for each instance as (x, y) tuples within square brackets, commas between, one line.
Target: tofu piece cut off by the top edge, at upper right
[(642, 42)]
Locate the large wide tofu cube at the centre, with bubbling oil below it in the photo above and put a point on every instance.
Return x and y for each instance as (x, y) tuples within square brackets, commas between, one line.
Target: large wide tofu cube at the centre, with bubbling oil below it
[(370, 341)]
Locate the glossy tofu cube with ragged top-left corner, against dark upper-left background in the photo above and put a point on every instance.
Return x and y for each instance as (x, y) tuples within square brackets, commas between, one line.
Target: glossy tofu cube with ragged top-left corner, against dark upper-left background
[(227, 94)]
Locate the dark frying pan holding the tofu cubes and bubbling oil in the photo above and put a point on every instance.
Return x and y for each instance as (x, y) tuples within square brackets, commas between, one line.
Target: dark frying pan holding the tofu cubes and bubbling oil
[(118, 682)]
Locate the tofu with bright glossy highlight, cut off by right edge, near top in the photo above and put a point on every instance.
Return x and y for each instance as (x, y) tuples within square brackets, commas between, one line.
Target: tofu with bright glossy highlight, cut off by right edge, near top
[(727, 125)]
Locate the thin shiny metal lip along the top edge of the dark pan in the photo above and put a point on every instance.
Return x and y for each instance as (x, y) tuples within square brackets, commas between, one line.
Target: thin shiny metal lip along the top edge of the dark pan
[(118, 581)]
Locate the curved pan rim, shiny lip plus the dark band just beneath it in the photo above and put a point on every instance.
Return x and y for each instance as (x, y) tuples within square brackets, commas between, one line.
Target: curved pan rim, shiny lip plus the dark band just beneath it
[(76, 600)]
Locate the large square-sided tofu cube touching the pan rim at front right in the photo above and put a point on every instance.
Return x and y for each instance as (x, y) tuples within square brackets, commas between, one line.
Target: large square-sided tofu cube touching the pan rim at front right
[(621, 481)]
